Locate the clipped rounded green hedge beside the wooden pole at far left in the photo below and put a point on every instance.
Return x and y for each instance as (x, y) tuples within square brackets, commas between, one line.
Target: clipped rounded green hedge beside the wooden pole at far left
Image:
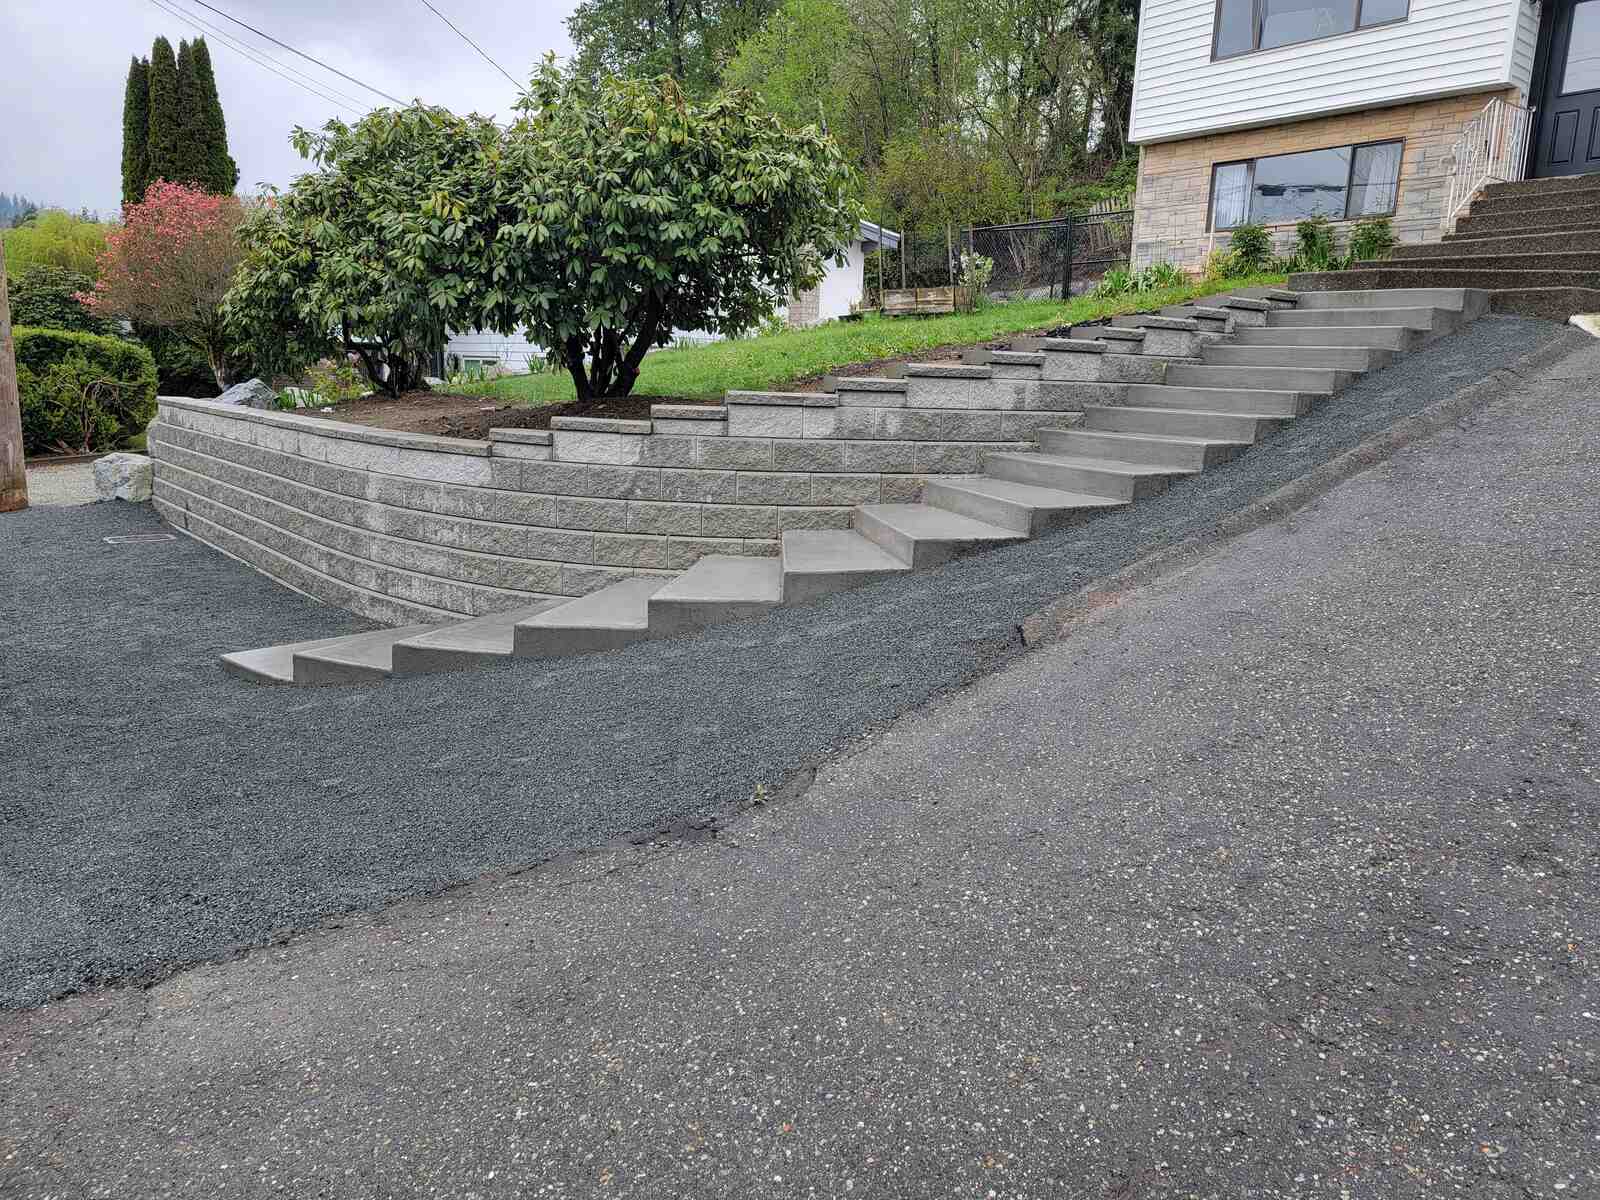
[(82, 393)]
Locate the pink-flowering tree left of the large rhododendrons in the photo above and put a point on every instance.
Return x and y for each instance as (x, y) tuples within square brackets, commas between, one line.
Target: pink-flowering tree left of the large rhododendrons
[(170, 266)]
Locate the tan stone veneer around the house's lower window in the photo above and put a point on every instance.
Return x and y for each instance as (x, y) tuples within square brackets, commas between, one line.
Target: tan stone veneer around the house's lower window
[(1174, 199)]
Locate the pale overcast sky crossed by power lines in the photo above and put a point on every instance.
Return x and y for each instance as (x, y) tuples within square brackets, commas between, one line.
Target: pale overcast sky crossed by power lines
[(66, 66)]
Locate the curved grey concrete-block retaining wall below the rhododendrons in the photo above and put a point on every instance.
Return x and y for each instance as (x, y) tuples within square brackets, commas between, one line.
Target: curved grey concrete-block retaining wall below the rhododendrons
[(404, 527)]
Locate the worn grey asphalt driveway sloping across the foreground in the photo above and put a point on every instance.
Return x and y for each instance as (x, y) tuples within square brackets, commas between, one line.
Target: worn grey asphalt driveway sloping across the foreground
[(1279, 879)]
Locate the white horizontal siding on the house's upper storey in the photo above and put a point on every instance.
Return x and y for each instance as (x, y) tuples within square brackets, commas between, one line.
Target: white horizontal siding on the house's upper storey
[(1447, 47)]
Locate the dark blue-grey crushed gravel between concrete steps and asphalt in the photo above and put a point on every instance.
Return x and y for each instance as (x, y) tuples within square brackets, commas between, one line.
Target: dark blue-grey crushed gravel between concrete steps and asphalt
[(159, 814)]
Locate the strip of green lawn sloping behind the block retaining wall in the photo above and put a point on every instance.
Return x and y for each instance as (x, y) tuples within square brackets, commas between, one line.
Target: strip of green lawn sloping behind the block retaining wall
[(783, 359)]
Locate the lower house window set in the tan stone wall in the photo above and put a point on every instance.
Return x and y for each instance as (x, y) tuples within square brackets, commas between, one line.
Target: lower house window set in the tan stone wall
[(1342, 183)]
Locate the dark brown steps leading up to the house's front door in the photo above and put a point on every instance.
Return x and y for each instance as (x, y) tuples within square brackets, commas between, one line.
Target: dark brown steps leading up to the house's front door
[(1535, 247)]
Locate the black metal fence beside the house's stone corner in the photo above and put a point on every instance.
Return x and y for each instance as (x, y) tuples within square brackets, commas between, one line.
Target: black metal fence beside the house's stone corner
[(1062, 257)]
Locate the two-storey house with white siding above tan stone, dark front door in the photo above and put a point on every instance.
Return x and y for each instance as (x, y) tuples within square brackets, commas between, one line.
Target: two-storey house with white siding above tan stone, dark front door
[(1273, 111)]
